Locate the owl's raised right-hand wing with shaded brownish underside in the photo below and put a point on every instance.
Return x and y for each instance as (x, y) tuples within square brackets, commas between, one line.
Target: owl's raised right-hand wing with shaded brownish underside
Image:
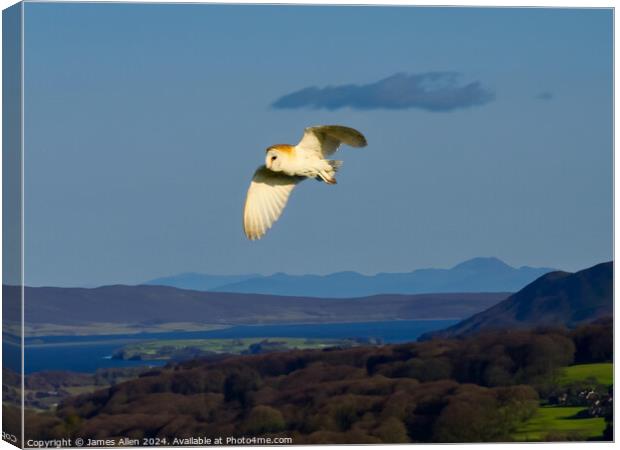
[(324, 140)]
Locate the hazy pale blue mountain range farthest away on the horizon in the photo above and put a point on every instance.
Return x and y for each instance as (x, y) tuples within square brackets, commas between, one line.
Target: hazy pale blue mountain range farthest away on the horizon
[(474, 275)]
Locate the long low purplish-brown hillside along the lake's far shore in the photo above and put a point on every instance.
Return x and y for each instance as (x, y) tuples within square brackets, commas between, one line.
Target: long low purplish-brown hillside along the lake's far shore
[(160, 305)]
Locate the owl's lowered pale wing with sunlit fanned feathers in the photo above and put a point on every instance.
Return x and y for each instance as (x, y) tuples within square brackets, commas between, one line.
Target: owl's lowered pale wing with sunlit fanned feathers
[(267, 196)]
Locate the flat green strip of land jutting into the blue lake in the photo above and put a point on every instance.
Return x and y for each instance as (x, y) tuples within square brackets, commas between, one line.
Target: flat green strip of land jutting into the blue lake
[(163, 349)]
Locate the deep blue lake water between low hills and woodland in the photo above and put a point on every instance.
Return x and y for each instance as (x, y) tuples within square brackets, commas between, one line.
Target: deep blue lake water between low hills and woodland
[(89, 353)]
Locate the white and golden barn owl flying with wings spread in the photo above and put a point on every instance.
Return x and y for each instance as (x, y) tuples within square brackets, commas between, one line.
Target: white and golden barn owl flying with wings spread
[(287, 165)]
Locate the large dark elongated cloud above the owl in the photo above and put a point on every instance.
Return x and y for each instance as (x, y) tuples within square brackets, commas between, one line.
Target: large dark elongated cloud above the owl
[(432, 91)]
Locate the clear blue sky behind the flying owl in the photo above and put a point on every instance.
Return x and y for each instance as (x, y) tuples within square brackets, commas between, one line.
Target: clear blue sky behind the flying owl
[(144, 124)]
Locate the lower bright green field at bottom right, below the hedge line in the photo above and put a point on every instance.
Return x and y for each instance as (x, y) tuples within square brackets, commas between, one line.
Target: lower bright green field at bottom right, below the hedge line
[(559, 419)]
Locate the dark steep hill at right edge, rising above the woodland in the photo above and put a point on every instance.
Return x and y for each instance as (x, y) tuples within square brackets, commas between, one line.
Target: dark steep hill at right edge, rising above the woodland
[(557, 298)]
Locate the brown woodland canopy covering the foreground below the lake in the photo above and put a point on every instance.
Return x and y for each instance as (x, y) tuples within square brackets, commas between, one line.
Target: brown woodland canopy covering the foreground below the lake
[(479, 388)]
